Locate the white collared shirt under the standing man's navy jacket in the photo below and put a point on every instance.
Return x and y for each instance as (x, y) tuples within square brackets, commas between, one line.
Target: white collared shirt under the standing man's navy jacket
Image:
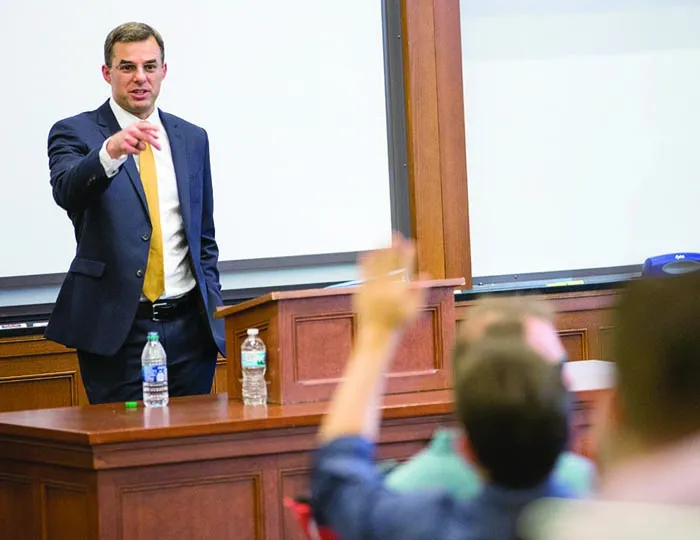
[(178, 273)]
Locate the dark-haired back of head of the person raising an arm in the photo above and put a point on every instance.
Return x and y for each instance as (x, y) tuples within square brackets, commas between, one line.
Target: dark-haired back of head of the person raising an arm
[(514, 409)]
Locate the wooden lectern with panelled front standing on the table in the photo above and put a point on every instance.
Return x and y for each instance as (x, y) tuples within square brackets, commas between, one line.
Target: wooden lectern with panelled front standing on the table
[(309, 336)]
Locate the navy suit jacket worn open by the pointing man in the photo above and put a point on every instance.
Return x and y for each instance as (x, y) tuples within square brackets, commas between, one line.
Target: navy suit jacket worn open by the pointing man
[(97, 304)]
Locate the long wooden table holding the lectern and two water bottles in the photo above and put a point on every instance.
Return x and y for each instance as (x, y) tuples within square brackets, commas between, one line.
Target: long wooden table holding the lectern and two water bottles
[(202, 468)]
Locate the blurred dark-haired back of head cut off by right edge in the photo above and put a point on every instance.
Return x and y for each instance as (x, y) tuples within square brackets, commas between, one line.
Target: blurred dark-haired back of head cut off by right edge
[(657, 355)]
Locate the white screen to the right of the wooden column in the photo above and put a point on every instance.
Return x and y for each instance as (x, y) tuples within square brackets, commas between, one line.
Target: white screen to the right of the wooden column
[(582, 120)]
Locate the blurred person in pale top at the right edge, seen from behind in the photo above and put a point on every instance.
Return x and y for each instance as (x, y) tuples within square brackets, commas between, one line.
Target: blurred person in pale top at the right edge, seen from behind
[(649, 435)]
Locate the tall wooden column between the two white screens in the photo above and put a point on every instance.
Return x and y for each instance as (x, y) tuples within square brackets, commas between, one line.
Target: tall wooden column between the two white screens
[(436, 137)]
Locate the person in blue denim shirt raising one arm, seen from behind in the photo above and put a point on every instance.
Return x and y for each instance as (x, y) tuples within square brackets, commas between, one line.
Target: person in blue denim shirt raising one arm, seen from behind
[(511, 398)]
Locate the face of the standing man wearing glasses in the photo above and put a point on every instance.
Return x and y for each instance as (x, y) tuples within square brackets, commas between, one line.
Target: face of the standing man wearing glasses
[(136, 75)]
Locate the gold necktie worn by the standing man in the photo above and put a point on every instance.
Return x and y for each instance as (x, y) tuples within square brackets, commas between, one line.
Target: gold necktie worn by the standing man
[(154, 281)]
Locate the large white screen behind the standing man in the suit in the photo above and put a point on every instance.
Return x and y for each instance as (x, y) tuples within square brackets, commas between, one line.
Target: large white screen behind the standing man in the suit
[(292, 95)]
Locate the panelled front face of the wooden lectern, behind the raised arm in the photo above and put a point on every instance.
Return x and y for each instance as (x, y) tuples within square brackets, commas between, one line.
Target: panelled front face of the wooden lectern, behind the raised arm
[(321, 332)]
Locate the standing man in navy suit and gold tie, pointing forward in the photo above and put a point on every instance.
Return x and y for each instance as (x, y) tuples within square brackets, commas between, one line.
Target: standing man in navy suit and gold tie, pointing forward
[(136, 183)]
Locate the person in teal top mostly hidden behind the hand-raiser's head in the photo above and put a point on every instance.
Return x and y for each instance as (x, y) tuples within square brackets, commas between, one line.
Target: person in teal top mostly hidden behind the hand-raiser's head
[(443, 464)]
